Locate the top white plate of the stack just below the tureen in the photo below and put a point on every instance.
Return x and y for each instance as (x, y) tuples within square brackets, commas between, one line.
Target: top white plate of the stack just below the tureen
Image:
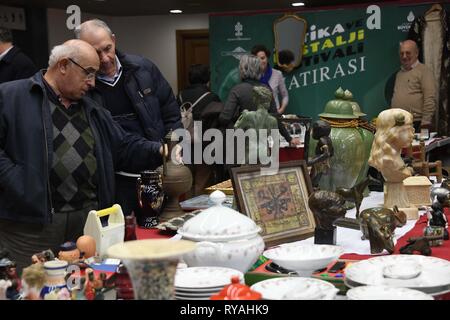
[(205, 277)]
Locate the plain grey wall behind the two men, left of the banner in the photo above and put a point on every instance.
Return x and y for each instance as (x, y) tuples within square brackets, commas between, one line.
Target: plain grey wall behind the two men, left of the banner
[(153, 37)]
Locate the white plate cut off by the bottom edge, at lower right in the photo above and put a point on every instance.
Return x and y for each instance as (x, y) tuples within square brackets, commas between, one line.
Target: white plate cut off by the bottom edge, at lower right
[(386, 293)]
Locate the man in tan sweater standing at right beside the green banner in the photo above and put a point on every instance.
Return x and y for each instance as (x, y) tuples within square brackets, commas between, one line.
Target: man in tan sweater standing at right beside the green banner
[(414, 89)]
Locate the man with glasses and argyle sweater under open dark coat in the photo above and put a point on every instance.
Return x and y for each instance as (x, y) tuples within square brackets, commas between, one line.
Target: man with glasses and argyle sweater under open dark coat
[(58, 154)]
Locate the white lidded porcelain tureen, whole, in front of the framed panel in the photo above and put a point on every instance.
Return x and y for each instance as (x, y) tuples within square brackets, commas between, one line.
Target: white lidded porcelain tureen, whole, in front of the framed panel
[(225, 237)]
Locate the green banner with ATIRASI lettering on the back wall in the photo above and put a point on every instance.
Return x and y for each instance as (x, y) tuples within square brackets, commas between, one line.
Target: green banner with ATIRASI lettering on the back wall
[(352, 48)]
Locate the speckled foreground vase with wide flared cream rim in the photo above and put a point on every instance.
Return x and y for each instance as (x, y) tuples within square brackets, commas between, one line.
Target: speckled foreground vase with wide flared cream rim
[(151, 265)]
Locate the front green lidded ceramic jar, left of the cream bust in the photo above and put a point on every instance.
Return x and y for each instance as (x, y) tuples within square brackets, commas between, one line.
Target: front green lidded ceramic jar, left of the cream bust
[(350, 155)]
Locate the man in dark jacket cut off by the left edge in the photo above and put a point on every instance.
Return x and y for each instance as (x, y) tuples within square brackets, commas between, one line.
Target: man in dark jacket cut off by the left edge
[(14, 64)]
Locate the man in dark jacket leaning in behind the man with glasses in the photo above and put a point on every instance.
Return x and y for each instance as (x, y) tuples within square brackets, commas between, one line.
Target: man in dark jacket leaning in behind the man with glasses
[(137, 95)]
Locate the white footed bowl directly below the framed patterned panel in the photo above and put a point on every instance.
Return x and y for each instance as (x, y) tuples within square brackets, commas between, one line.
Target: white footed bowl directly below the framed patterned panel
[(304, 258)]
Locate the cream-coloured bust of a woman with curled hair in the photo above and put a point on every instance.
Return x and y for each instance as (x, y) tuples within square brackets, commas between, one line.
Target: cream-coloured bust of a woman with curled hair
[(394, 132)]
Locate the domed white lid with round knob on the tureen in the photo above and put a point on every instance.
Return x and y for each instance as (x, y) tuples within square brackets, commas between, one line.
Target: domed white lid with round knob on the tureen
[(218, 223)]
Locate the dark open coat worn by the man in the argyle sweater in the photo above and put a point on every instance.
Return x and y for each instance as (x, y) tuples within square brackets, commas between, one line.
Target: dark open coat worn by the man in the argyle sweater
[(26, 151)]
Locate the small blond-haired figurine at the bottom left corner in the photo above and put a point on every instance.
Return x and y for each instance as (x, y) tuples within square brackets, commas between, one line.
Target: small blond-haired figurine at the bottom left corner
[(33, 280)]
